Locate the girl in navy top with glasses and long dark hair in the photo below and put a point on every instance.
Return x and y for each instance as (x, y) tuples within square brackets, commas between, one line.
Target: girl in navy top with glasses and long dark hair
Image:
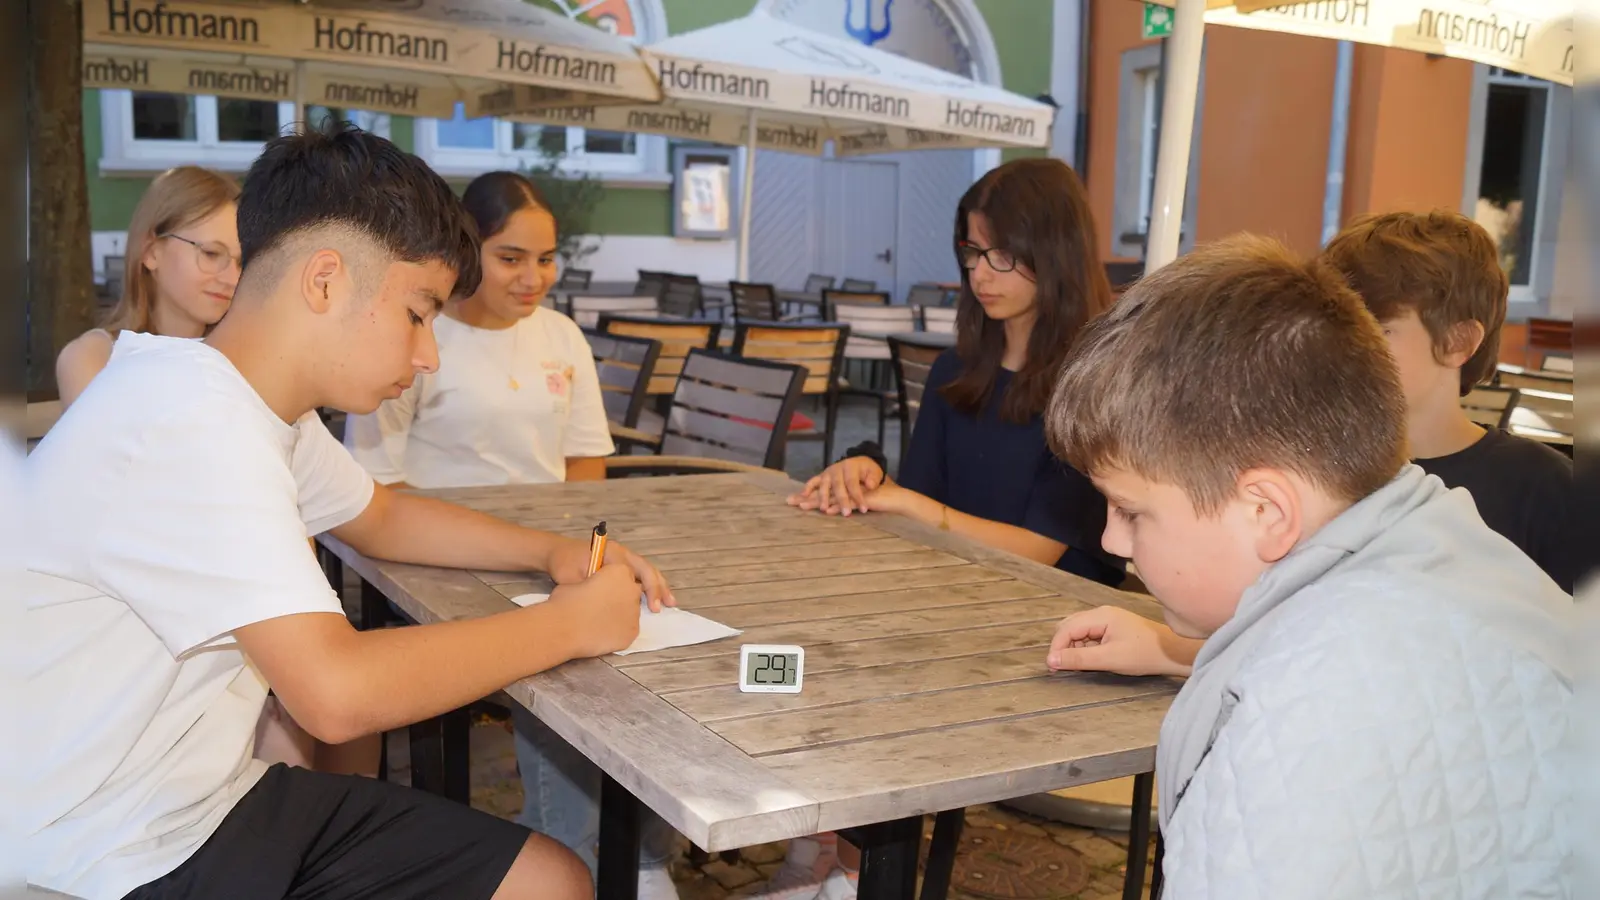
[(978, 464)]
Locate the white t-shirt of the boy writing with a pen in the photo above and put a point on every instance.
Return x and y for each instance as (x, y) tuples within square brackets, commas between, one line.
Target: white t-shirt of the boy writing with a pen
[(167, 508)]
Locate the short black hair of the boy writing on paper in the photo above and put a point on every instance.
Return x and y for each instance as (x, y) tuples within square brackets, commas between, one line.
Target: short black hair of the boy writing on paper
[(338, 175)]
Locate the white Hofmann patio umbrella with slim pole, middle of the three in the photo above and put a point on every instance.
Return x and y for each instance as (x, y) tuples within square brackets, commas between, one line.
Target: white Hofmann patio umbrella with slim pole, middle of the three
[(762, 82)]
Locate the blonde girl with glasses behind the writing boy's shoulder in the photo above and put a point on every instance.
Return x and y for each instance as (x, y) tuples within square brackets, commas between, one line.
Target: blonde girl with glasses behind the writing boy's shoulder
[(183, 247)]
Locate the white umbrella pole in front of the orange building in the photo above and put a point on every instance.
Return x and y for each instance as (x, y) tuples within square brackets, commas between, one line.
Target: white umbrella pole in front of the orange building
[(1178, 121)]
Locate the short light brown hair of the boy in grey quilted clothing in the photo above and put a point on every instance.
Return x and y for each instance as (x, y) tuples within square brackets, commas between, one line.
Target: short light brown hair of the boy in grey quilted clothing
[(1234, 358)]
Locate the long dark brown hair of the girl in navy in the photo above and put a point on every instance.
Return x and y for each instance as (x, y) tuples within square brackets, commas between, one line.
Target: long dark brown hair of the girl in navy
[(1038, 212)]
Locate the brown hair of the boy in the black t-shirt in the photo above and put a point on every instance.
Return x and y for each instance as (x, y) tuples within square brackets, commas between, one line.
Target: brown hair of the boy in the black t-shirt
[(1442, 265)]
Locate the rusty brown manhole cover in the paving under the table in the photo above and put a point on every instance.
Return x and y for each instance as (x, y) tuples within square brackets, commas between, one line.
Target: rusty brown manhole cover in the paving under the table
[(1010, 866)]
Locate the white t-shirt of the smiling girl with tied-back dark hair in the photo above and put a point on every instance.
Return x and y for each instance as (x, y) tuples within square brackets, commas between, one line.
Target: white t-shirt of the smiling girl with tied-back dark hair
[(506, 406)]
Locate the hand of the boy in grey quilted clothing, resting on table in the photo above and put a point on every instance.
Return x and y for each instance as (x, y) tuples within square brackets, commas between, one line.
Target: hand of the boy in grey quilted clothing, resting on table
[(1113, 640)]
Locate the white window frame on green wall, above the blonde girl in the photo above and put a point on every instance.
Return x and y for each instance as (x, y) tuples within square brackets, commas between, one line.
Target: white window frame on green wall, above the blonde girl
[(122, 153)]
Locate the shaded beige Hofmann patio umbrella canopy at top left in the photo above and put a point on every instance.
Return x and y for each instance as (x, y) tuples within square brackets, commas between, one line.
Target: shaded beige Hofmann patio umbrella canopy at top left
[(407, 57)]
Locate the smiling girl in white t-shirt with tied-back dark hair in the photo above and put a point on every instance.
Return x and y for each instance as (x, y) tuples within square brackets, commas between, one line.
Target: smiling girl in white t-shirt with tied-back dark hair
[(516, 400)]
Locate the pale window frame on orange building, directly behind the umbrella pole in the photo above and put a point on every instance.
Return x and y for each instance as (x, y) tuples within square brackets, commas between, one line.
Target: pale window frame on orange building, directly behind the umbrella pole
[(1137, 131)]
